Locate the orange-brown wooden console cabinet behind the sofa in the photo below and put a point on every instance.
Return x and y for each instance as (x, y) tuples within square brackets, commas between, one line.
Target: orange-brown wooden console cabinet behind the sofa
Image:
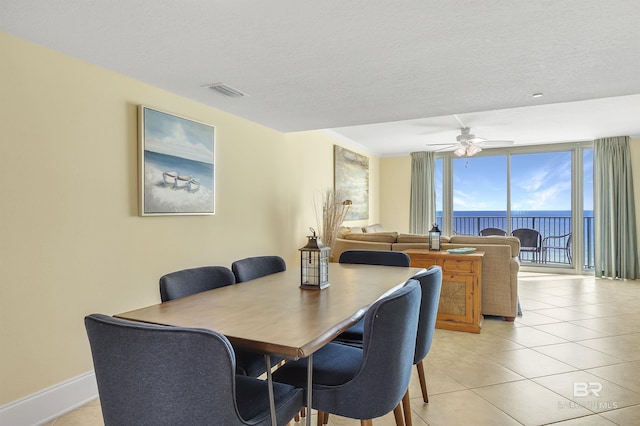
[(461, 296)]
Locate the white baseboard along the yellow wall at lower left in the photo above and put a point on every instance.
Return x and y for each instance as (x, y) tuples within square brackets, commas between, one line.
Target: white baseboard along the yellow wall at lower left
[(47, 404)]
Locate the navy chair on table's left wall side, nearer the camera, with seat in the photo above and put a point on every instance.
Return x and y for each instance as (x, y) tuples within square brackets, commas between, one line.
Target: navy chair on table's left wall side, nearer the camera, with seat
[(195, 280)]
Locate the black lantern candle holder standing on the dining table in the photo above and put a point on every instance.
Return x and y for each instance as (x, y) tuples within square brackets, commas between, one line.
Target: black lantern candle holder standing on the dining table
[(314, 264)]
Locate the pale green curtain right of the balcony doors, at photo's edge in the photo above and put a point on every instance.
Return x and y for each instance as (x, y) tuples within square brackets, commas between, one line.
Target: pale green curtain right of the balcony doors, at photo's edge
[(616, 248)]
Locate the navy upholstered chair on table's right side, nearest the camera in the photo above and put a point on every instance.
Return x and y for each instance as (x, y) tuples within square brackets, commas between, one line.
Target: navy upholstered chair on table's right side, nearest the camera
[(368, 382)]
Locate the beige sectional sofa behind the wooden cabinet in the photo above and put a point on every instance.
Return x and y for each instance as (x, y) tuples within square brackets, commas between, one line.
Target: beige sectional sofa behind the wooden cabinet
[(500, 264)]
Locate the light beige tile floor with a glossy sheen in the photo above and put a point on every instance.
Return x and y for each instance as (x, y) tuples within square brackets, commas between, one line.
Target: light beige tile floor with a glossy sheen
[(573, 358)]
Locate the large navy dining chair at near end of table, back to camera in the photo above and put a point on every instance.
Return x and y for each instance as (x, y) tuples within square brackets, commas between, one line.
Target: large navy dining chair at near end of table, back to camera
[(150, 374)]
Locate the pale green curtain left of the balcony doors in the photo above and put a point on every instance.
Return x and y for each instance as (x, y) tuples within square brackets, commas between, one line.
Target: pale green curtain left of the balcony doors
[(423, 195)]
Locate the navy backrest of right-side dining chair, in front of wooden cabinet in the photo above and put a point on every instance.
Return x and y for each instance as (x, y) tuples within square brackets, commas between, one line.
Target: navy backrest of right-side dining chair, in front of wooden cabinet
[(431, 285)]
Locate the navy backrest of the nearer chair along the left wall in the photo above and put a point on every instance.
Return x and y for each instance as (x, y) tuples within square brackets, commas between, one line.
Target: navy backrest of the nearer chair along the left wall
[(195, 280)]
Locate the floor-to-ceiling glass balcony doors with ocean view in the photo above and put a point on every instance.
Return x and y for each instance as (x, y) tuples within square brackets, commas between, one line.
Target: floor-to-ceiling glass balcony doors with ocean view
[(544, 193)]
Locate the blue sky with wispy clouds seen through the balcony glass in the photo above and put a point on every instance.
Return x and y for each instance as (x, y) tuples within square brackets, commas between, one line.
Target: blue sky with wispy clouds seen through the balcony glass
[(540, 181)]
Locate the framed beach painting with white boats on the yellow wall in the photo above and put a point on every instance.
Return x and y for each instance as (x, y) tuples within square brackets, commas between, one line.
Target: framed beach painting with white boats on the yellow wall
[(176, 165)]
